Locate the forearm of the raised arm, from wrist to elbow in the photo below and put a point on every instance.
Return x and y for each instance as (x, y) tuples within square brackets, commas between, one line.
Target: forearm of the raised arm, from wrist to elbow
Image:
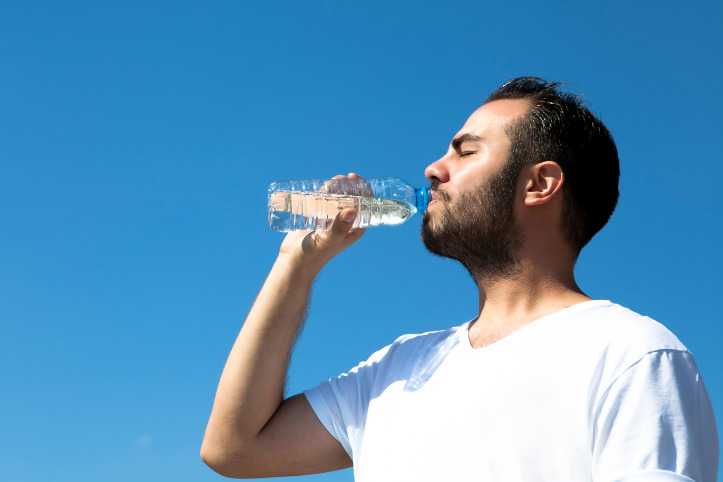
[(252, 383)]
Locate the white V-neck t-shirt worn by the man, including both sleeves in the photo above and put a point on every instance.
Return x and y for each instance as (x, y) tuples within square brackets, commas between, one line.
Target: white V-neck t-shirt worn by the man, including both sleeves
[(592, 392)]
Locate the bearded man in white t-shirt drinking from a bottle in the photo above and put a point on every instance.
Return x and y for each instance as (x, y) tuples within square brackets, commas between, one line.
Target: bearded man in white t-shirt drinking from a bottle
[(545, 384)]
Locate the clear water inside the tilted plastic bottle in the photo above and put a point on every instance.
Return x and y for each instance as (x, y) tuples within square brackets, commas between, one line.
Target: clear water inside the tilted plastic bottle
[(293, 211)]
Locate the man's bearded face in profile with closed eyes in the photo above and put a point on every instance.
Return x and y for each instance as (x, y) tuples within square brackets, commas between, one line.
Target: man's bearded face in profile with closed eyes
[(471, 216)]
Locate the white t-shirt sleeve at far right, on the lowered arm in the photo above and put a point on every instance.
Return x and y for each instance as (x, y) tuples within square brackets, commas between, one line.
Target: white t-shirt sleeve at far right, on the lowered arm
[(655, 423)]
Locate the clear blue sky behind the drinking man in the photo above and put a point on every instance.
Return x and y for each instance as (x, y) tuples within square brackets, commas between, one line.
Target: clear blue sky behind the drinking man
[(138, 139)]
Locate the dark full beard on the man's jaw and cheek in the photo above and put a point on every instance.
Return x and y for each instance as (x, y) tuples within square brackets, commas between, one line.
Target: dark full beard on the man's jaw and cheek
[(478, 228)]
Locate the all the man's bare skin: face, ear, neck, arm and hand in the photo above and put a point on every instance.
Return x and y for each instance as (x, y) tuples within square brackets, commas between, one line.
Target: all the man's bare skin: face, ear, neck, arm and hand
[(254, 432)]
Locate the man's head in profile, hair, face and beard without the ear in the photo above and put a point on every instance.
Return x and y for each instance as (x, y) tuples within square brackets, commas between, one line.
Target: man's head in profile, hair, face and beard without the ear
[(526, 122)]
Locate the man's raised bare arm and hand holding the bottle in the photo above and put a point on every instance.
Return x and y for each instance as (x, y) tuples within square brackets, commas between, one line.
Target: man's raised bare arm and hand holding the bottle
[(252, 431)]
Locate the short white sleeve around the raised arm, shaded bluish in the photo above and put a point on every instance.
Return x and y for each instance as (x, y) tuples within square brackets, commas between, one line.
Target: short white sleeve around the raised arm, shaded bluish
[(341, 402)]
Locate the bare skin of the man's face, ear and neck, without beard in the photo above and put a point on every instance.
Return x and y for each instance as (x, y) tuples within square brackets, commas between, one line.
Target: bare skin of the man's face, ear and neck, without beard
[(544, 282)]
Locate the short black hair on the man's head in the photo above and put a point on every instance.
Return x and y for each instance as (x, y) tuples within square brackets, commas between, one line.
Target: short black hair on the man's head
[(560, 128)]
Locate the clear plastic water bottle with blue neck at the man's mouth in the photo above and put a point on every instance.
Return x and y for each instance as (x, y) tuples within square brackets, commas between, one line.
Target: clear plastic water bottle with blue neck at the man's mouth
[(313, 204)]
